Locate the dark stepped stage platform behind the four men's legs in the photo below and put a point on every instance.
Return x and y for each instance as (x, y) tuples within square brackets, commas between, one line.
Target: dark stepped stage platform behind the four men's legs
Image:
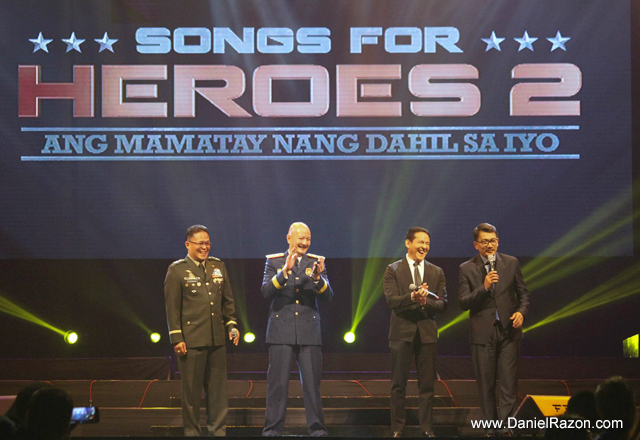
[(140, 397)]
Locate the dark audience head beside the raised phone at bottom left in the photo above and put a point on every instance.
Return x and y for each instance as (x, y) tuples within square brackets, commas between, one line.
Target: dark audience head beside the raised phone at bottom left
[(49, 415)]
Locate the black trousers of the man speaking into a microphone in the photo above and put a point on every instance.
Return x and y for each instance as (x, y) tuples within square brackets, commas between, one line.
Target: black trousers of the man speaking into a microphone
[(497, 360)]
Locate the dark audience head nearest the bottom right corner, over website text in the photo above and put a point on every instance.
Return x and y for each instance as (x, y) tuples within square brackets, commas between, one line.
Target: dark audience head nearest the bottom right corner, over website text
[(615, 401)]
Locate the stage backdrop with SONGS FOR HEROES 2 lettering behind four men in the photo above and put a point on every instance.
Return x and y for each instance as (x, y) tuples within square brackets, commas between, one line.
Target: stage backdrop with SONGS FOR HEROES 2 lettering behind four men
[(125, 122)]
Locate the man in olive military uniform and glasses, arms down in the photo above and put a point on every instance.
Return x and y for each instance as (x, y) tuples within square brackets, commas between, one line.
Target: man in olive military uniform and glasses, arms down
[(200, 315)]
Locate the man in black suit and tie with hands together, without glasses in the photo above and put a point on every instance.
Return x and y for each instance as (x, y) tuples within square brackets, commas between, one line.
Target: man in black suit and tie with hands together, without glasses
[(413, 332)]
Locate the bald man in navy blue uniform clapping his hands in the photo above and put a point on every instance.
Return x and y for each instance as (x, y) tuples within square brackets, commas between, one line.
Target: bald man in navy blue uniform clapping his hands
[(294, 281)]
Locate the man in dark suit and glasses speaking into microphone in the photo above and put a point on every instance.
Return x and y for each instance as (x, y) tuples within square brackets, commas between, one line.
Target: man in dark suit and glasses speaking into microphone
[(492, 288)]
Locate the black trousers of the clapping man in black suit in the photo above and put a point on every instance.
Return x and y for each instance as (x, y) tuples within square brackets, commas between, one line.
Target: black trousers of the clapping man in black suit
[(402, 355)]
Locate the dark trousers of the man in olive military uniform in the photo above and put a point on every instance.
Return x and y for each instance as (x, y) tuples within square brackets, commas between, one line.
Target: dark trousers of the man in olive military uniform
[(204, 368)]
